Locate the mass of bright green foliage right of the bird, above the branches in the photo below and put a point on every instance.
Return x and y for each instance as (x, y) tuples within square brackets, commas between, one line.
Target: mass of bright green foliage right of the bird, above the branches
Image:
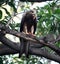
[(49, 21)]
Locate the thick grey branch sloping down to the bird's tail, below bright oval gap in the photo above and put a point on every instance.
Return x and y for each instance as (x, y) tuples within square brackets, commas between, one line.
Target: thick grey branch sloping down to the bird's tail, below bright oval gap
[(9, 43)]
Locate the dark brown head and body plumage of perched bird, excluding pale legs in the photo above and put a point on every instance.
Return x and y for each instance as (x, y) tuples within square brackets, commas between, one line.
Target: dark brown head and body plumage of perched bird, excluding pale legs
[(29, 19)]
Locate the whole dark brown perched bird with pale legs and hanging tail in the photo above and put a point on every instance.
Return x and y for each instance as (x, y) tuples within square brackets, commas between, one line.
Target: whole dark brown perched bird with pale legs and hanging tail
[(28, 25)]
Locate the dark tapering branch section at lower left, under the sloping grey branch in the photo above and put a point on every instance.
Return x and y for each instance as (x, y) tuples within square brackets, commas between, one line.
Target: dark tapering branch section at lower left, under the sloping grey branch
[(5, 50)]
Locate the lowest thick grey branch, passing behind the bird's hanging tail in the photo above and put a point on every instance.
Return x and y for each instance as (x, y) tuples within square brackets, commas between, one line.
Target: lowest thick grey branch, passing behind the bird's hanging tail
[(4, 50)]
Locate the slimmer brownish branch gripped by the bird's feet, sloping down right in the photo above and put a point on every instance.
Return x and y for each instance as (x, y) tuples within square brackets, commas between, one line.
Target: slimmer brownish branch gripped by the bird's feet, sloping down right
[(34, 39)]
